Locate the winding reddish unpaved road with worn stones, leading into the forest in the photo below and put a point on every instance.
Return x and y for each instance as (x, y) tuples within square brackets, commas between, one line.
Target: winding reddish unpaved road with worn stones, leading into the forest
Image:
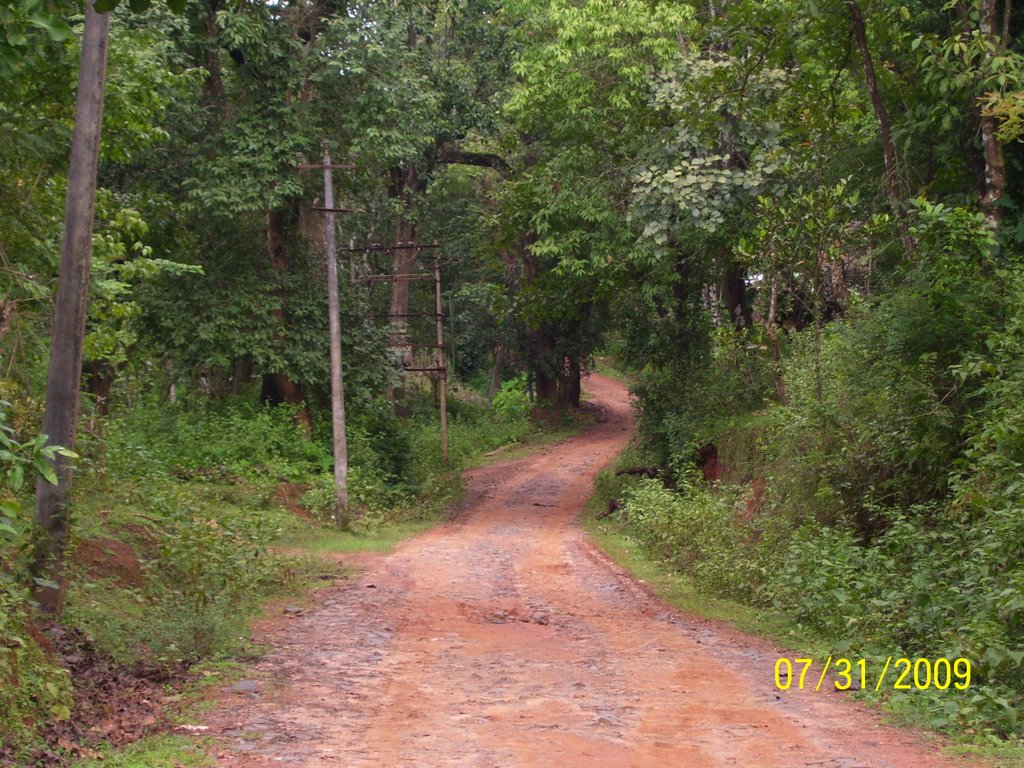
[(505, 639)]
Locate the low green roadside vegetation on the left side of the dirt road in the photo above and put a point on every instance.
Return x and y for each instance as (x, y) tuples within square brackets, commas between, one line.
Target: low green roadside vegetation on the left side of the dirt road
[(189, 518)]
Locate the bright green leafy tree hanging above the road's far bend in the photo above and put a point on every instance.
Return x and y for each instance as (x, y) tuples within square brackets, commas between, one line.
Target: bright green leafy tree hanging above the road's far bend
[(582, 113)]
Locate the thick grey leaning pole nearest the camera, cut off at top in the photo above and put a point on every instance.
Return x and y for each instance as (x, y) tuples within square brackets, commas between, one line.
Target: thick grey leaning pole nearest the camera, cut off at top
[(64, 376)]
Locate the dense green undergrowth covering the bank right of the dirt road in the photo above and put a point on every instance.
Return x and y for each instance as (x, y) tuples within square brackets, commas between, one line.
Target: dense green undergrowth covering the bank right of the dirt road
[(879, 507)]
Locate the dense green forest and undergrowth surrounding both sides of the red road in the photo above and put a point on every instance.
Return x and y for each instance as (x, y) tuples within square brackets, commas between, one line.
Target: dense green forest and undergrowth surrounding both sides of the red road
[(796, 225)]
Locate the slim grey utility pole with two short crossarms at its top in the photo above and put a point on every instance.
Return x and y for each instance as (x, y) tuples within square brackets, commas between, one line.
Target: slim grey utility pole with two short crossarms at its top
[(340, 447)]
